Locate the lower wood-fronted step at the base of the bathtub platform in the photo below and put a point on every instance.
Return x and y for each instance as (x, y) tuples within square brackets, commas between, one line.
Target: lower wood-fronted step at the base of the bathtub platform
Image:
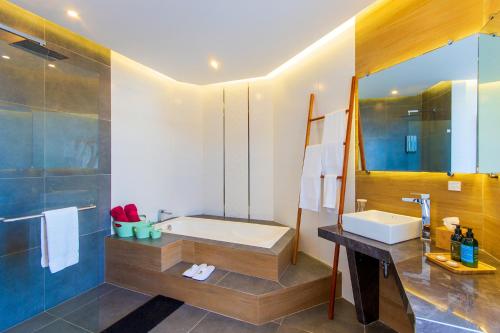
[(244, 297)]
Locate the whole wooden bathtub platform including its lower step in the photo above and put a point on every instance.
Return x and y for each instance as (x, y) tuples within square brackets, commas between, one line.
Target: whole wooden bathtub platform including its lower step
[(252, 284)]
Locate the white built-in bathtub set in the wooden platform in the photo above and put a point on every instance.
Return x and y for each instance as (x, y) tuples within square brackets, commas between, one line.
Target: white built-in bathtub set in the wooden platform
[(226, 231)]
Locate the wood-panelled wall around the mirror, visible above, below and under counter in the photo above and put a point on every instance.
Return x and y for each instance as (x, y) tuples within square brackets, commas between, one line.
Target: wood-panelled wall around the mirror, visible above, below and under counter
[(393, 31)]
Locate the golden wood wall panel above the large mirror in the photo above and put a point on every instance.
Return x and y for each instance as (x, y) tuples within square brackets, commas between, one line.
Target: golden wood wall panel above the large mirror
[(392, 31)]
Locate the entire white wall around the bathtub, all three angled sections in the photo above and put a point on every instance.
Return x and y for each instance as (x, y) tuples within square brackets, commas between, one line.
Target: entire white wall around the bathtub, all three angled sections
[(181, 142)]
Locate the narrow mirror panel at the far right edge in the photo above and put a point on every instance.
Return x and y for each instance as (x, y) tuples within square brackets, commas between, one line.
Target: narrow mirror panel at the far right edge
[(489, 98)]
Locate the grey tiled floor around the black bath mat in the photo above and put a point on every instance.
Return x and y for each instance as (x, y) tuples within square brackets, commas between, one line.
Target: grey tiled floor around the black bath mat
[(104, 305)]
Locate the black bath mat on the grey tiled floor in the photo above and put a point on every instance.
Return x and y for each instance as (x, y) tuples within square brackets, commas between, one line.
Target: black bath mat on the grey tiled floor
[(146, 317)]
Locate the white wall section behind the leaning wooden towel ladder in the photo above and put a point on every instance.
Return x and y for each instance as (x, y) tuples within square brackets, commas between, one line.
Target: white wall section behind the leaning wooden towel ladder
[(327, 73)]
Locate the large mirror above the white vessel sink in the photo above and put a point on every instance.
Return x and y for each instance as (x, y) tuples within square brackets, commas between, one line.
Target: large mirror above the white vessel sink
[(417, 116)]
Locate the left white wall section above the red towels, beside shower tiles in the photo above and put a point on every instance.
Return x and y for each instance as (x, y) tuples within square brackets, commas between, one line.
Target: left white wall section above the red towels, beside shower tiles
[(156, 140)]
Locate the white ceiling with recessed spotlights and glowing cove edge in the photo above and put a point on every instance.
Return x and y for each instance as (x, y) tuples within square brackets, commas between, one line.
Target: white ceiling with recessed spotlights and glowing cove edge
[(177, 38)]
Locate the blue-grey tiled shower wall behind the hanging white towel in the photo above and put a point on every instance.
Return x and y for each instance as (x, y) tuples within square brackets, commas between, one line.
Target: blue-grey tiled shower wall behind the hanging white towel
[(54, 152)]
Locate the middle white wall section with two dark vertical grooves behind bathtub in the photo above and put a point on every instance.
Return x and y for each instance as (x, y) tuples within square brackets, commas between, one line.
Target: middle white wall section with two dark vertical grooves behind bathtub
[(238, 178)]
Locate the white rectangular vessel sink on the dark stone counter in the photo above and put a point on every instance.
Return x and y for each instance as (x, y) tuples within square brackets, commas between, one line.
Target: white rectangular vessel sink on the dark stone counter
[(384, 227)]
